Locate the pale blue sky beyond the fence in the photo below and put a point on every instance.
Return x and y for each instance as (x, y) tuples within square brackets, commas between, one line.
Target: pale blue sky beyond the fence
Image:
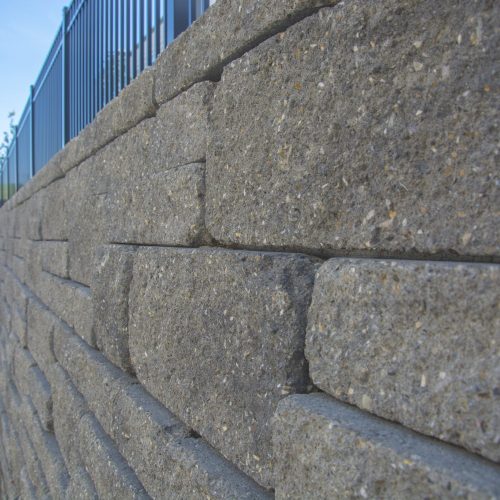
[(27, 30)]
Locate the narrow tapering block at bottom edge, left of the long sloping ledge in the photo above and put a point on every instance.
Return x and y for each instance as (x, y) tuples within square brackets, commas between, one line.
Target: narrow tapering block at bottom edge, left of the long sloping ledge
[(111, 475)]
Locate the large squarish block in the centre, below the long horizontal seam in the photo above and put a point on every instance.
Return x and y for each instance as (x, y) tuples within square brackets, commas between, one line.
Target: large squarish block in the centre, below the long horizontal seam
[(217, 336)]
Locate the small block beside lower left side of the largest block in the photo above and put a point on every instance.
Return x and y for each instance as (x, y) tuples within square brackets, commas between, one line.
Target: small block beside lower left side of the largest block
[(165, 208)]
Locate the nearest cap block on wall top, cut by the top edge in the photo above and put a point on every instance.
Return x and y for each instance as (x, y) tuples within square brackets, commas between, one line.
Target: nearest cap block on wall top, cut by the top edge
[(227, 30)]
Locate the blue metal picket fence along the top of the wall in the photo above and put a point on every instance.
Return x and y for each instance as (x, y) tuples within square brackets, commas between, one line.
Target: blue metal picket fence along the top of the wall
[(99, 48)]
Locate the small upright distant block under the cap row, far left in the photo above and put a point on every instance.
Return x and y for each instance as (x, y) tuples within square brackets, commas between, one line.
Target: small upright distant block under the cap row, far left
[(56, 201)]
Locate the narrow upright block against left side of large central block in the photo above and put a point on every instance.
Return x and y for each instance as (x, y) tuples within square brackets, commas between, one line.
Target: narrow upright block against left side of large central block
[(110, 289)]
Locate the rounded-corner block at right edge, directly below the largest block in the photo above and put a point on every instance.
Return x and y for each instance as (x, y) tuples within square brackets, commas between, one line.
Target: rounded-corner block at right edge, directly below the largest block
[(415, 342)]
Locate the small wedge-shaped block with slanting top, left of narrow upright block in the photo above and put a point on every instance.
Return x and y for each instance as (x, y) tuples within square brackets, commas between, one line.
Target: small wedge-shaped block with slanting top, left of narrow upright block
[(71, 302)]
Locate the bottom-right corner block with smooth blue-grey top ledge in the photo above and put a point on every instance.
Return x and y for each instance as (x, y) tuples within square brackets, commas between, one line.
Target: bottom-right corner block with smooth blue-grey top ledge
[(325, 449)]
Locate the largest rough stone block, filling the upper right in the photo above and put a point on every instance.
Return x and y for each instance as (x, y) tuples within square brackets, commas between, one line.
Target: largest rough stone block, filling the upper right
[(368, 127)]
